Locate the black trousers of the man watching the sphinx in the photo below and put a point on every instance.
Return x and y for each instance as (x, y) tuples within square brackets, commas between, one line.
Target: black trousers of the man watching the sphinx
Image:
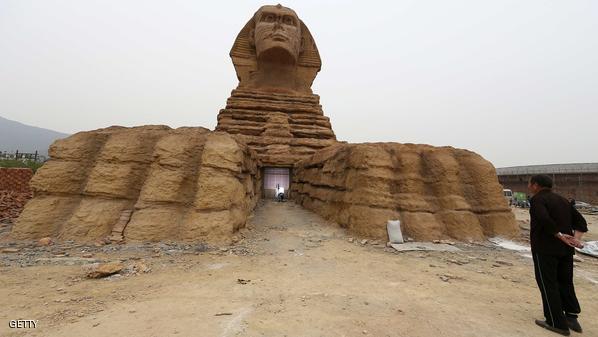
[(554, 275)]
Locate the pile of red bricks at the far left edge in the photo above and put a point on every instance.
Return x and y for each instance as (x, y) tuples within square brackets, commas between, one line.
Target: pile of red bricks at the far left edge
[(14, 192)]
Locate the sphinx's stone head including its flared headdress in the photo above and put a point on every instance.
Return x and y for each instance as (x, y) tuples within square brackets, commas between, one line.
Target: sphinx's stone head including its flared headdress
[(276, 52)]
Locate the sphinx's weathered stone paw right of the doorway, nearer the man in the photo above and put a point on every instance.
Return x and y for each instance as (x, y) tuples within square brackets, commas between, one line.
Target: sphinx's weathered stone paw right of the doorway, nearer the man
[(436, 192)]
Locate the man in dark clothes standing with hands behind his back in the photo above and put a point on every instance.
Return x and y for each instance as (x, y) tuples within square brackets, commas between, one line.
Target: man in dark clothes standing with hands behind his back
[(556, 228)]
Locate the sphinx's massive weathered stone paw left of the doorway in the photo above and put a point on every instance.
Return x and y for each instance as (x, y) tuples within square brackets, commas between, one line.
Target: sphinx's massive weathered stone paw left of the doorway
[(180, 185)]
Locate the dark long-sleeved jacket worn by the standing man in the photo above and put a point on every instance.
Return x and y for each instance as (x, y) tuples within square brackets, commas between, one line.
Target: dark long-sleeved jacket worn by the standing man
[(550, 213)]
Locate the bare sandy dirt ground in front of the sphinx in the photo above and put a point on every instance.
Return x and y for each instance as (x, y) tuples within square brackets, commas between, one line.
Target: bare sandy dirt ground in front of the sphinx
[(290, 274)]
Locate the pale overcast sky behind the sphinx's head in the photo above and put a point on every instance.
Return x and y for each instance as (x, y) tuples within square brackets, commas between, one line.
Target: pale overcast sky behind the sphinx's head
[(515, 81)]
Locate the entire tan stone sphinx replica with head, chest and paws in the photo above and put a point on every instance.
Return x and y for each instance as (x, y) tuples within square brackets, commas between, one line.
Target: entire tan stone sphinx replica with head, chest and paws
[(153, 183)]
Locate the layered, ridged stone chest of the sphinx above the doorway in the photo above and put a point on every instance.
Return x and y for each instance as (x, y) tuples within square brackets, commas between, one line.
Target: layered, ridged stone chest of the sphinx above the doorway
[(282, 129)]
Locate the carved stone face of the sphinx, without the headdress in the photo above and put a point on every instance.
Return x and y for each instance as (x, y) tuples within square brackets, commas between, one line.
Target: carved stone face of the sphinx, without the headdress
[(277, 34)]
